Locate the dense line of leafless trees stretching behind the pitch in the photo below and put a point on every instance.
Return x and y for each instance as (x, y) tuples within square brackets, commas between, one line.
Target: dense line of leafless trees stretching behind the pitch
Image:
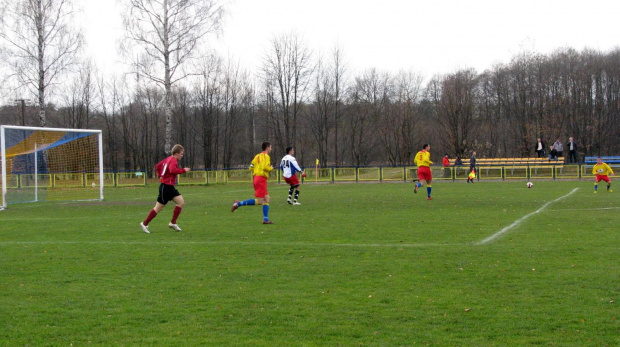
[(222, 115)]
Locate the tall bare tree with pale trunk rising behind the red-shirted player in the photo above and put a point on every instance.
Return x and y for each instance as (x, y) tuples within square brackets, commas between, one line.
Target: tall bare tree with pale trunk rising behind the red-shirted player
[(168, 33)]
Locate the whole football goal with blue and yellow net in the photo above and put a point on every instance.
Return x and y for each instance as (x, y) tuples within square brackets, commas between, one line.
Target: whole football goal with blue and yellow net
[(48, 164)]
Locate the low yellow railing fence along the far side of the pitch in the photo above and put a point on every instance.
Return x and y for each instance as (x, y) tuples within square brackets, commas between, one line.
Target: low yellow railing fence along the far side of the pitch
[(334, 174)]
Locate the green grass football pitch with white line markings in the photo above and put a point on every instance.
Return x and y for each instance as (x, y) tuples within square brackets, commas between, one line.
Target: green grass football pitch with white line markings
[(355, 265)]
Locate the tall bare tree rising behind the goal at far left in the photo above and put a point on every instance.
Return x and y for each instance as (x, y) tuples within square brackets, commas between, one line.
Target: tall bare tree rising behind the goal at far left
[(42, 43)]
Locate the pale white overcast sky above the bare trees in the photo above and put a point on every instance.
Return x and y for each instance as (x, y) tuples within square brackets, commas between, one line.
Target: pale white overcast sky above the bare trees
[(429, 36)]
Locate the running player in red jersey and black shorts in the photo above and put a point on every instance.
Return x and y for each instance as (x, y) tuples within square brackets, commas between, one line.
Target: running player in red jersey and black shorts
[(167, 171)]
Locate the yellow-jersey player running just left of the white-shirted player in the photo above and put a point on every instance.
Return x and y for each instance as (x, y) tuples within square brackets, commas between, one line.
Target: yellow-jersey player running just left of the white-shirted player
[(260, 167)]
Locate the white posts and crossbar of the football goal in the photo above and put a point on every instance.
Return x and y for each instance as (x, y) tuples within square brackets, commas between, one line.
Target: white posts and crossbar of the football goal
[(3, 155)]
